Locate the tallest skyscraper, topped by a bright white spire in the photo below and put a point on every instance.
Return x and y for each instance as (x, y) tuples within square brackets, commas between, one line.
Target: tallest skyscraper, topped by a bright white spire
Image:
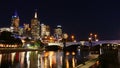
[(35, 27)]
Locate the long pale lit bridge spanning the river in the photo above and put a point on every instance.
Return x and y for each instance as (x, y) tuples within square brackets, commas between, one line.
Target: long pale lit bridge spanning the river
[(87, 43)]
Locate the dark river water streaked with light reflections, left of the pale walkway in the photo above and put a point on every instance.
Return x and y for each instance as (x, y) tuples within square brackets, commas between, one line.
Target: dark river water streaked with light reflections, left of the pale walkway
[(49, 59)]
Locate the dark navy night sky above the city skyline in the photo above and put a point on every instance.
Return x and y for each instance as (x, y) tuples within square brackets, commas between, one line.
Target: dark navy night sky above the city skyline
[(78, 17)]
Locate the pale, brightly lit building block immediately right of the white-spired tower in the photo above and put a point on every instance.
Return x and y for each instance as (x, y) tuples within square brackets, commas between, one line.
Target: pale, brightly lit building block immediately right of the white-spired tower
[(45, 30)]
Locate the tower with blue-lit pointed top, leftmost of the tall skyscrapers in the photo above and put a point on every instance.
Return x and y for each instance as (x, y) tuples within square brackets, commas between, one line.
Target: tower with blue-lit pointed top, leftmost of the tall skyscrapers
[(15, 23)]
